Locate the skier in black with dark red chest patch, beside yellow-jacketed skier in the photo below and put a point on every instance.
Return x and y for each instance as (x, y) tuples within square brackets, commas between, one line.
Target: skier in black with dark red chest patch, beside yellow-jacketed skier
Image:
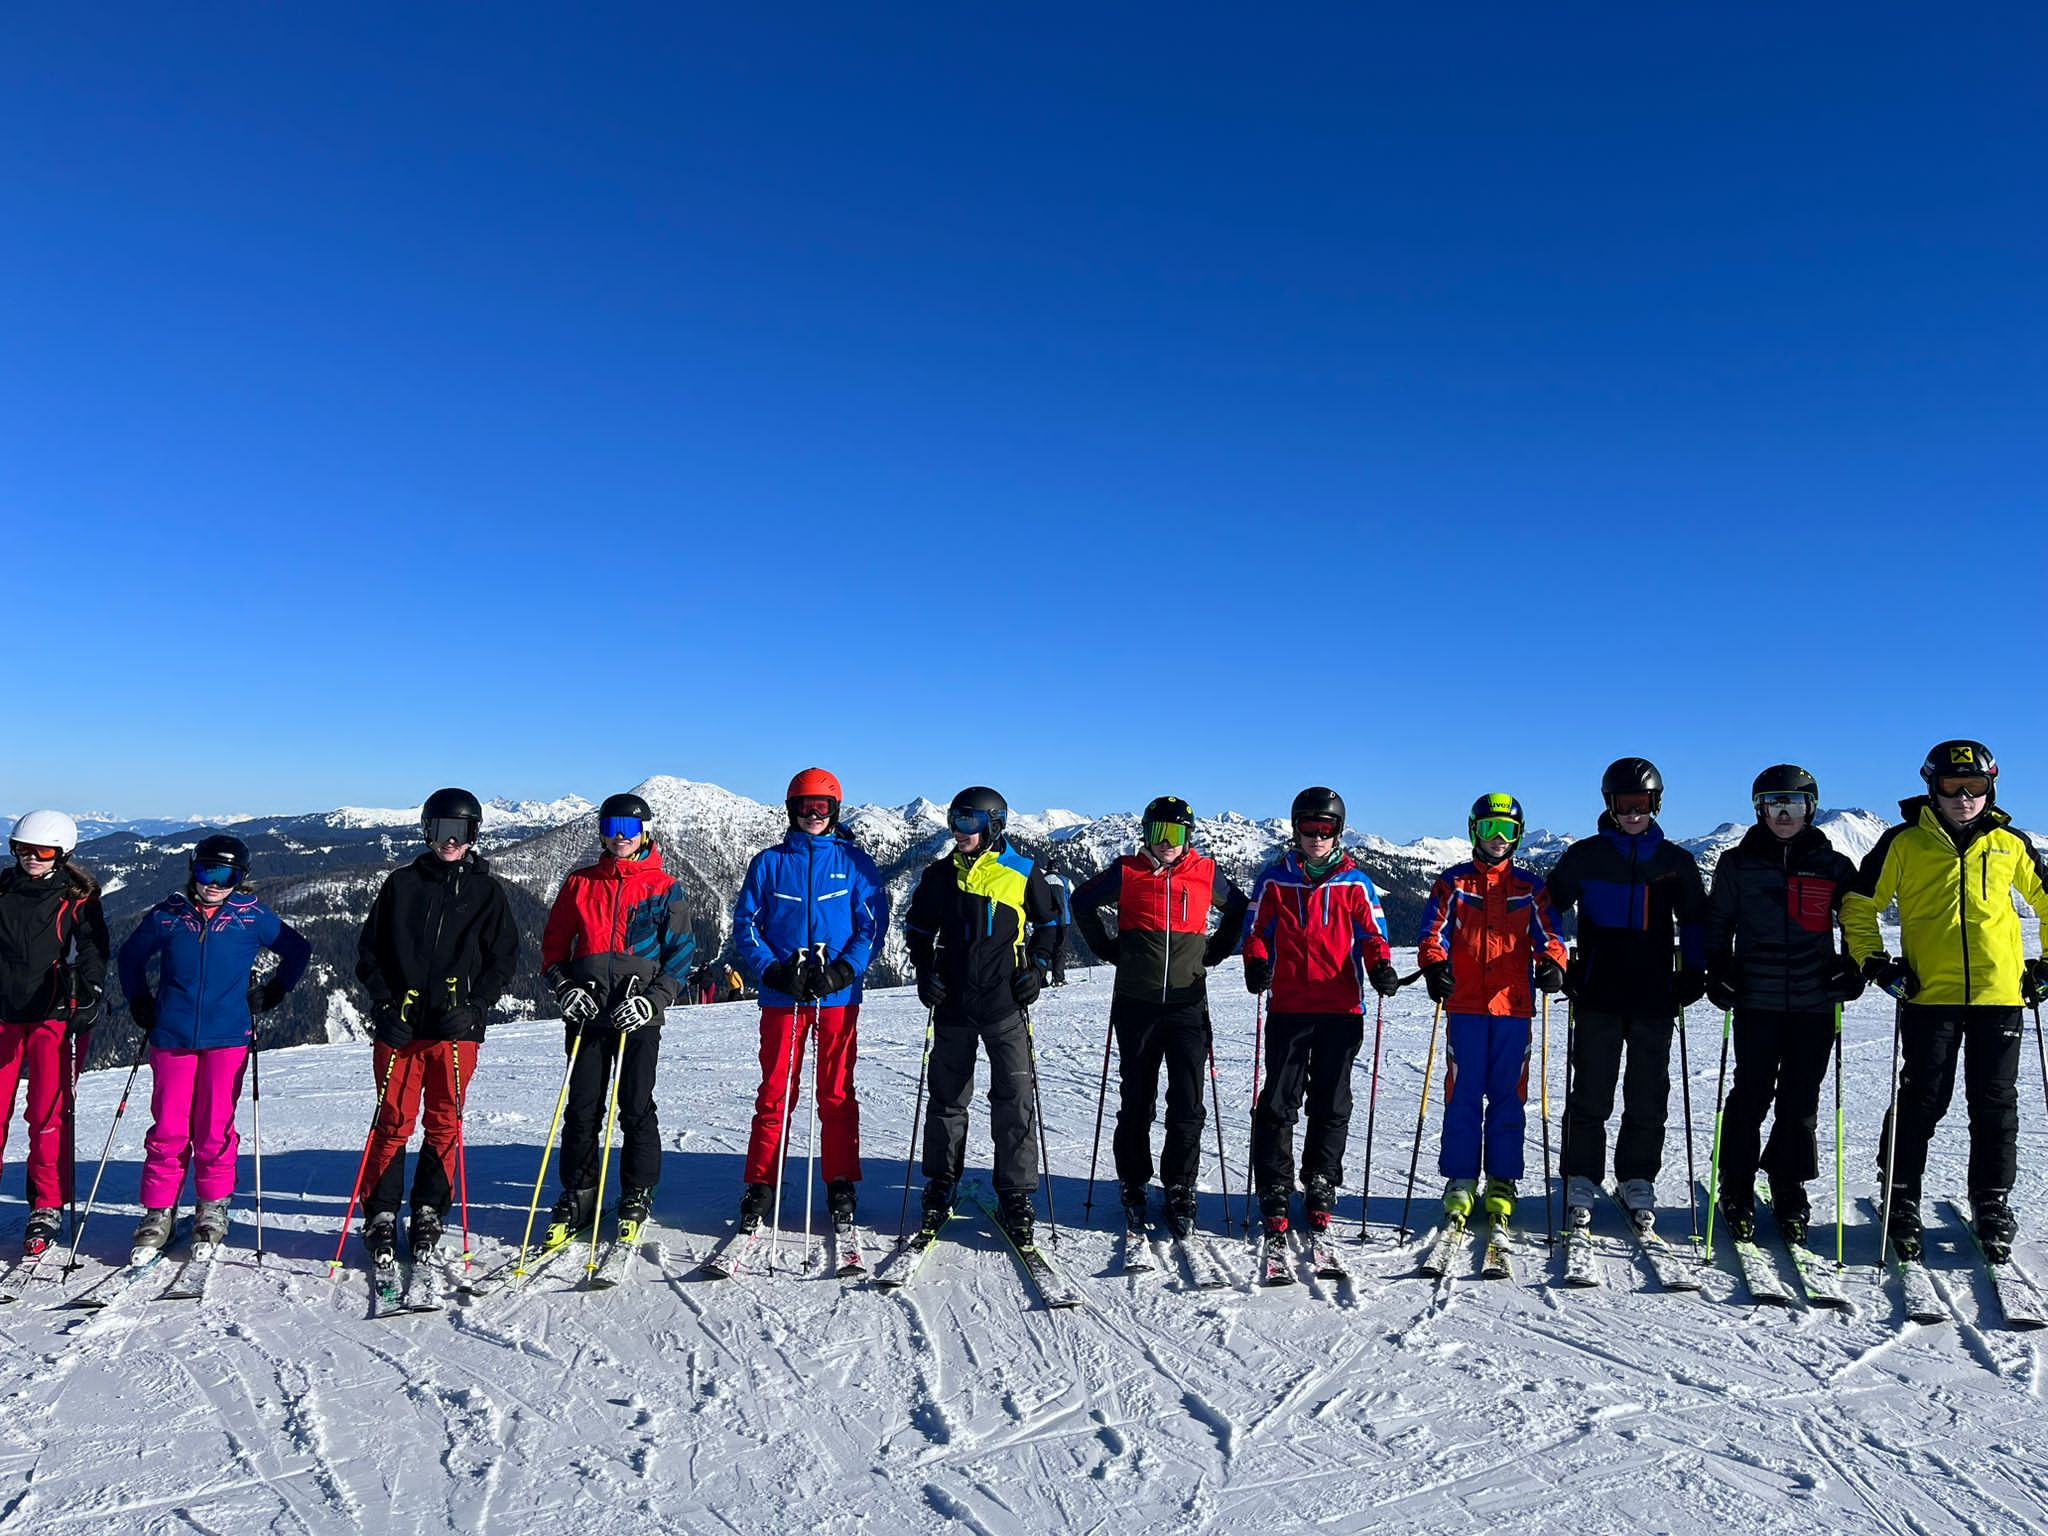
[(1773, 959)]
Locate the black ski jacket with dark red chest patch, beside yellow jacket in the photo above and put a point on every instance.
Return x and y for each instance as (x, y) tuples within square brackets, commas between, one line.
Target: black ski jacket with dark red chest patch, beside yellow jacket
[(1770, 923)]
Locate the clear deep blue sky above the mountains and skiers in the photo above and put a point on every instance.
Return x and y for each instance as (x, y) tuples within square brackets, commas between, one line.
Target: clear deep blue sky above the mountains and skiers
[(1089, 402)]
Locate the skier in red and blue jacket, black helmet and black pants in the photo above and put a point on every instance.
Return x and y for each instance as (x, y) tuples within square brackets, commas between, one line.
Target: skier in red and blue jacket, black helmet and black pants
[(1316, 927)]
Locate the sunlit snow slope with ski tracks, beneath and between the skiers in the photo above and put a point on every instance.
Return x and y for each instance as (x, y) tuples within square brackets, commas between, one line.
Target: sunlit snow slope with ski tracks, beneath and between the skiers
[(798, 1402)]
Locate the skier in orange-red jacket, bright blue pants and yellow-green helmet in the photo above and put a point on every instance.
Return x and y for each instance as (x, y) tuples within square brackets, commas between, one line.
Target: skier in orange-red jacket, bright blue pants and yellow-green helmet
[(1490, 939)]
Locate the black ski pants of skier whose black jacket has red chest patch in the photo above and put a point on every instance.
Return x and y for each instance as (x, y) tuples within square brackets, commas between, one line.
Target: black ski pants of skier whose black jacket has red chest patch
[(1777, 1058)]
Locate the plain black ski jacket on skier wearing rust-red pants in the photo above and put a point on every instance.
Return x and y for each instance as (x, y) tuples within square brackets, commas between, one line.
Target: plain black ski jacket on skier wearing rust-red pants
[(437, 951)]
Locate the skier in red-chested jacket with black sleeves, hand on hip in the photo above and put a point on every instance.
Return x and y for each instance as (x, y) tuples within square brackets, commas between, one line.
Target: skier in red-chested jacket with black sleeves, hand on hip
[(1162, 949)]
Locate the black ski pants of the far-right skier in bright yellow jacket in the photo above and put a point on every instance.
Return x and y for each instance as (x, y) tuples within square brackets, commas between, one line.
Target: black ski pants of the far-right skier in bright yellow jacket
[(1930, 1039)]
